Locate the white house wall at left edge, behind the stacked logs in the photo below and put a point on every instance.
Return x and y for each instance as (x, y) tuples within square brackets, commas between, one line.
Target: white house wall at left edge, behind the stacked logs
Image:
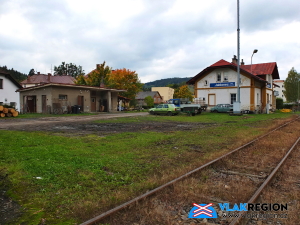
[(8, 93)]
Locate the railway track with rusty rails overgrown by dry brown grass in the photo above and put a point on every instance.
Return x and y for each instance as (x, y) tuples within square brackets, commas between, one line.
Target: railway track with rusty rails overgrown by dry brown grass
[(231, 178)]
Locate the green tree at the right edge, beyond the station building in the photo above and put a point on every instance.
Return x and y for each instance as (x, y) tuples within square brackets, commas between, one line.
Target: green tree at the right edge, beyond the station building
[(291, 86)]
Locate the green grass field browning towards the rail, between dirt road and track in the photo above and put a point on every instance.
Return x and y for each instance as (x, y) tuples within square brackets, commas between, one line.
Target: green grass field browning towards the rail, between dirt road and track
[(66, 180)]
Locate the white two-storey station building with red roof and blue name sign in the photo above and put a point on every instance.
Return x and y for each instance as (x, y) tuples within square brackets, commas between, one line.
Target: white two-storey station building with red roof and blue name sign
[(217, 84)]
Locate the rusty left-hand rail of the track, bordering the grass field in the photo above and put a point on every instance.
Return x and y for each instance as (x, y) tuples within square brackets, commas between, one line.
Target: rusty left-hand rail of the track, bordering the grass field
[(149, 193)]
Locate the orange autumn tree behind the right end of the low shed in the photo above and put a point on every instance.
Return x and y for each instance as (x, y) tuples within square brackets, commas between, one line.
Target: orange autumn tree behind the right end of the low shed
[(125, 79)]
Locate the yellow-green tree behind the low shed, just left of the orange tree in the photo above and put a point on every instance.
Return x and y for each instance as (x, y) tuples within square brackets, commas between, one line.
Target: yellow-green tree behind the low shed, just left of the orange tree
[(98, 76)]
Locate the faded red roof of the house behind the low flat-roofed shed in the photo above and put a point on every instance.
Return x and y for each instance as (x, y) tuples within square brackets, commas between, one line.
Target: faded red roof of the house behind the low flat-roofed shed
[(42, 78)]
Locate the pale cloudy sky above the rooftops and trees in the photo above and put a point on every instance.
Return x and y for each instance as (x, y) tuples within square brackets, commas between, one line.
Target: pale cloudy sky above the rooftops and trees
[(156, 38)]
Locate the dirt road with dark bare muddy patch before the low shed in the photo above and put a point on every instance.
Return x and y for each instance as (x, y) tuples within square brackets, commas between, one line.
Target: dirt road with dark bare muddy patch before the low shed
[(80, 125)]
